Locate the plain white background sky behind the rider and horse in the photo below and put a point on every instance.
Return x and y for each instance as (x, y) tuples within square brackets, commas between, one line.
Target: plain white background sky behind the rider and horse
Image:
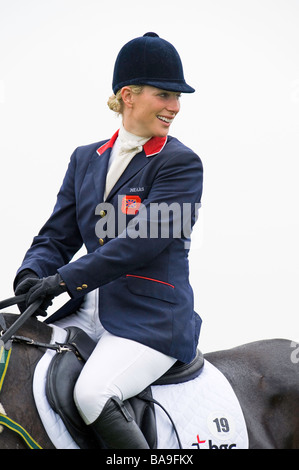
[(56, 63)]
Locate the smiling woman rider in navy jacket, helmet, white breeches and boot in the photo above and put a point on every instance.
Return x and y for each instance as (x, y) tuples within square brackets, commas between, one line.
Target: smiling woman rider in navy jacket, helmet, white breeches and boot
[(131, 290)]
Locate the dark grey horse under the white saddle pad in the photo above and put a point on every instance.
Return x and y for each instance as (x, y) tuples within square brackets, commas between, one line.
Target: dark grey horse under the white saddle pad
[(263, 374)]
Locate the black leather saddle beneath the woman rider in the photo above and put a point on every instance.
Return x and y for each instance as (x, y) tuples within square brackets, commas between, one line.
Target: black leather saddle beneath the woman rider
[(64, 371)]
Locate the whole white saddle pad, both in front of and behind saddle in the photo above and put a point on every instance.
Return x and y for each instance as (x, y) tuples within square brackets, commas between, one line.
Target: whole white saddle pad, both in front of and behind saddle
[(205, 410)]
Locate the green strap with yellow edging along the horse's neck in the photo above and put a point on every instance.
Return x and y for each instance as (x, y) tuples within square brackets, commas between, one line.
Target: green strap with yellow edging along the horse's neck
[(5, 420)]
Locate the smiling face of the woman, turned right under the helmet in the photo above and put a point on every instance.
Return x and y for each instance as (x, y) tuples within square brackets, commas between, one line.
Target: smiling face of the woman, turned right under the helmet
[(151, 112)]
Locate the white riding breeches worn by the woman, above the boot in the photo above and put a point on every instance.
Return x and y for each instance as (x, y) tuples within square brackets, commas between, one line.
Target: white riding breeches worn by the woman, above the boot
[(117, 367)]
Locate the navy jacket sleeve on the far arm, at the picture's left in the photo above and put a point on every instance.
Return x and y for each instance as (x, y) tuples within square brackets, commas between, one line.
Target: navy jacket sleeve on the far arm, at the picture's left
[(59, 239)]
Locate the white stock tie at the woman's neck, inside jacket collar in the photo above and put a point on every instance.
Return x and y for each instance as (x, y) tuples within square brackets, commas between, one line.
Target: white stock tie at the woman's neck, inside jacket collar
[(125, 148)]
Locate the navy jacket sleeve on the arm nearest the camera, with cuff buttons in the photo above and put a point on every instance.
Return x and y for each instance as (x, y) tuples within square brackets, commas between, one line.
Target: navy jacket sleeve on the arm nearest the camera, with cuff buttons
[(177, 183)]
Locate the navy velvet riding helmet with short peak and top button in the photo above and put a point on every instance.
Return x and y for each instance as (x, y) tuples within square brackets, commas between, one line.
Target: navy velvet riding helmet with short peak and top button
[(150, 60)]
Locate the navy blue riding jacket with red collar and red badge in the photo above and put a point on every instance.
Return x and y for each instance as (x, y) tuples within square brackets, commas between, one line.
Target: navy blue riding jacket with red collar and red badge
[(142, 272)]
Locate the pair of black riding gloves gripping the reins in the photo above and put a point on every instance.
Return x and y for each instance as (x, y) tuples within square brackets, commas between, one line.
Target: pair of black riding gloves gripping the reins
[(46, 289)]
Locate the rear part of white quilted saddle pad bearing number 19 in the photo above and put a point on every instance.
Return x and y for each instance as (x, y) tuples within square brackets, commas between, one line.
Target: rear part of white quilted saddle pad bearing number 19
[(206, 412)]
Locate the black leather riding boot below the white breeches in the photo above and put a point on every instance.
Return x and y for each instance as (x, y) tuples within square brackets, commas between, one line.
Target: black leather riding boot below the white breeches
[(116, 427)]
